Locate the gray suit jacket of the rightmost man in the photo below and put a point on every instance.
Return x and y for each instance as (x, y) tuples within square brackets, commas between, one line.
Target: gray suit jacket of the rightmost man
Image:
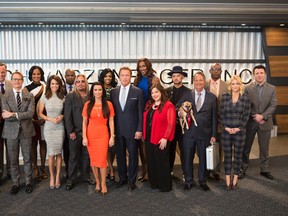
[(266, 106)]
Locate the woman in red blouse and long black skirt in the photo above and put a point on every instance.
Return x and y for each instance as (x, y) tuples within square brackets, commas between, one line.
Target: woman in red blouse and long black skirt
[(159, 120)]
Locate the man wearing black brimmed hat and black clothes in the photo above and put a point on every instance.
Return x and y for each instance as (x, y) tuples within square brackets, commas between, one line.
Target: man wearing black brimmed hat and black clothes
[(175, 92)]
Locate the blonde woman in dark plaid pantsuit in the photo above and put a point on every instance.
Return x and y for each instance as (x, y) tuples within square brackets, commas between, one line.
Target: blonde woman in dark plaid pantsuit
[(235, 108)]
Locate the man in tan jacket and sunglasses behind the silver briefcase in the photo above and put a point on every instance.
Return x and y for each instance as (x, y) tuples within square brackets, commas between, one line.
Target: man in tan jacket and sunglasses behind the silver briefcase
[(217, 86)]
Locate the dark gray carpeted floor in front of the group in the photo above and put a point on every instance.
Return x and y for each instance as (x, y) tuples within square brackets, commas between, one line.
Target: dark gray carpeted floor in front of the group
[(255, 195)]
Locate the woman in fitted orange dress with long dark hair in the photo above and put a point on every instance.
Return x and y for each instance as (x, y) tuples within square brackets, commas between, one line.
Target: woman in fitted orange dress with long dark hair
[(96, 113)]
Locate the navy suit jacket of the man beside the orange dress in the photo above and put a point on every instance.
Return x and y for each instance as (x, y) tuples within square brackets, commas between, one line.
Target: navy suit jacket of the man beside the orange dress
[(130, 120)]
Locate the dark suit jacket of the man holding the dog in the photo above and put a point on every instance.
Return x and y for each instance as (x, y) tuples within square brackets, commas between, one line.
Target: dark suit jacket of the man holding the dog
[(206, 117)]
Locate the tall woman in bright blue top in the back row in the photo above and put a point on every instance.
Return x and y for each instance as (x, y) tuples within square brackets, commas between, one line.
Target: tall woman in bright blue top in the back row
[(146, 77)]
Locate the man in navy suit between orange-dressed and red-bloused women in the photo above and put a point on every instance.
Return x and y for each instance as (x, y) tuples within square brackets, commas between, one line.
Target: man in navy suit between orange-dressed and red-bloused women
[(128, 105)]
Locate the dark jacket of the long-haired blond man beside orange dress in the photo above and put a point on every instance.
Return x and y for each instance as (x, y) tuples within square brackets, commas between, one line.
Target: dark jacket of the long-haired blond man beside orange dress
[(73, 113)]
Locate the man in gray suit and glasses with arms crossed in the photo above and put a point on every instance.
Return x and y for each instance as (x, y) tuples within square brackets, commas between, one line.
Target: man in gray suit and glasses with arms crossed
[(18, 109)]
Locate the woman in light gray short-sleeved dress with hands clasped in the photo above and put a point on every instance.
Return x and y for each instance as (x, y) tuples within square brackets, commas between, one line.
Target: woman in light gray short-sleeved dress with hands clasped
[(53, 102)]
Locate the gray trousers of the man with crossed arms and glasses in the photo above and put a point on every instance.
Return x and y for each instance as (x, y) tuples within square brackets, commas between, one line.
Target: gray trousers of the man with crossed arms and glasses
[(13, 146)]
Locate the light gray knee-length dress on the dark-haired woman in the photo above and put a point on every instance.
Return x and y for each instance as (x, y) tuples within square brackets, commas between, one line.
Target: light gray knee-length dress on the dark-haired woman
[(53, 133)]
